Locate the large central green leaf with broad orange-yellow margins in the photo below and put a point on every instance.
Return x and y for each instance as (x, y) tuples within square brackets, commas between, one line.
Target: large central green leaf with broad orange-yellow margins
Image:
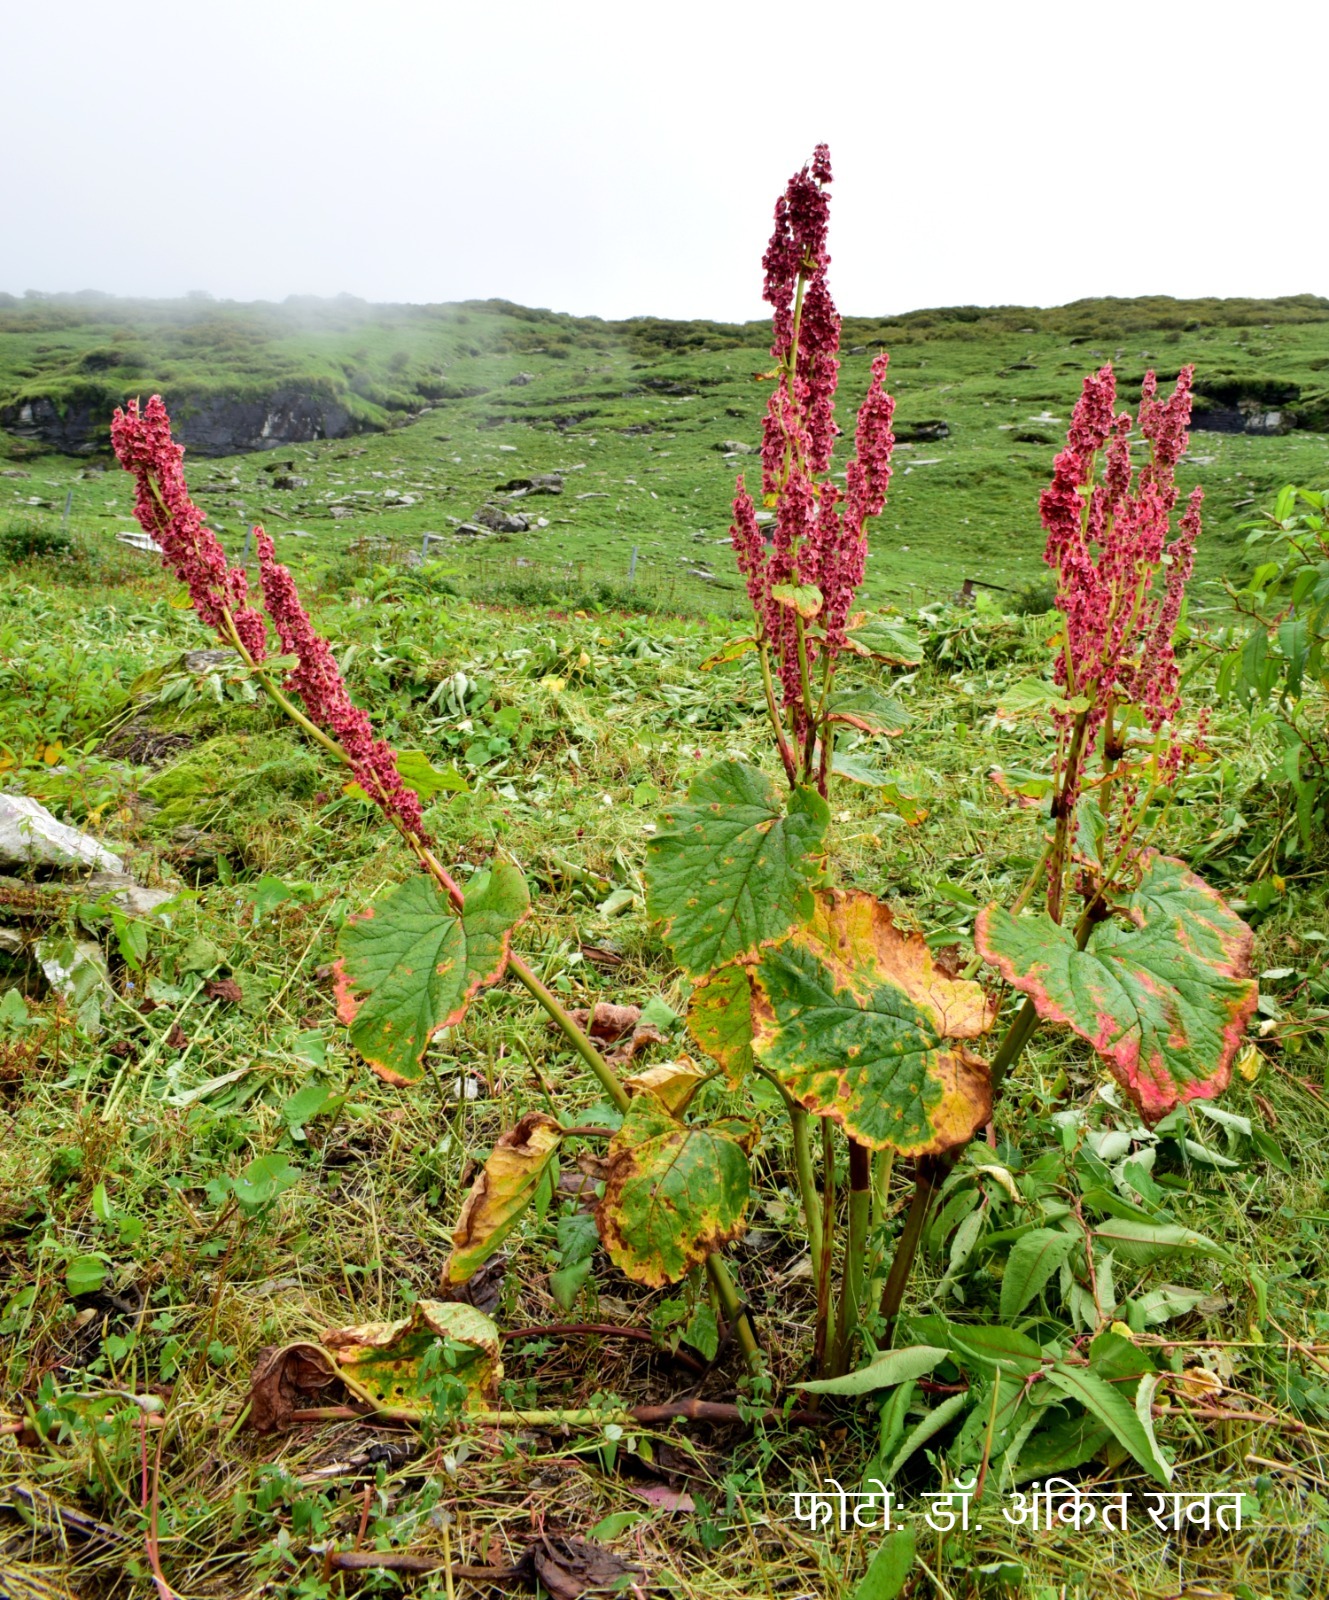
[(858, 1025)]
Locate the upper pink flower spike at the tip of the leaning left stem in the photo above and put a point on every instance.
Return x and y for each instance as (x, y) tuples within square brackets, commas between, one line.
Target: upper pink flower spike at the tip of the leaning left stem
[(145, 447)]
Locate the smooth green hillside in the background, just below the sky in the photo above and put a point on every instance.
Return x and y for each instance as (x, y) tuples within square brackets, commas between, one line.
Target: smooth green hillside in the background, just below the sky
[(639, 415)]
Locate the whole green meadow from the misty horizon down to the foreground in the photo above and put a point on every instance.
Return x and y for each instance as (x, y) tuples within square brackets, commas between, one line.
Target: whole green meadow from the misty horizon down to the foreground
[(143, 1263)]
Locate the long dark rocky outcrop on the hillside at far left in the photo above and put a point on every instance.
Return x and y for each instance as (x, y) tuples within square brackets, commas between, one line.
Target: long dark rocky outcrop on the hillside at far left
[(209, 425)]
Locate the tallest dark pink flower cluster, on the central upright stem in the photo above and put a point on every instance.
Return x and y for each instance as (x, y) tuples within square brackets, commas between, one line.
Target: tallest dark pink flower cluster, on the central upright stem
[(820, 537)]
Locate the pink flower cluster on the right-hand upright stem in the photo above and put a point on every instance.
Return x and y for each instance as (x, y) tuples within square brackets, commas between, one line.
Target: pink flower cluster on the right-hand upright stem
[(1109, 543)]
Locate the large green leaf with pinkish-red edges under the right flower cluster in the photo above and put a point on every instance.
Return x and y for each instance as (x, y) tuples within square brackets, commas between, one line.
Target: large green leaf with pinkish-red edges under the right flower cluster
[(1163, 996)]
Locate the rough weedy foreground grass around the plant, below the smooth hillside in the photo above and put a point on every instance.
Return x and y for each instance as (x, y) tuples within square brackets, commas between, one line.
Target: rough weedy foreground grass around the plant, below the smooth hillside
[(573, 729)]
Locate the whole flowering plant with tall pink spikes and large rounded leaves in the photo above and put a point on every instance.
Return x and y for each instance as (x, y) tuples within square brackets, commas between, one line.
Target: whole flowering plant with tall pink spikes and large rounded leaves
[(797, 982)]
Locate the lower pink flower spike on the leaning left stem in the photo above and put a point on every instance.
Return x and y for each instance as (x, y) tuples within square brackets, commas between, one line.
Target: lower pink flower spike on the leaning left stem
[(324, 692)]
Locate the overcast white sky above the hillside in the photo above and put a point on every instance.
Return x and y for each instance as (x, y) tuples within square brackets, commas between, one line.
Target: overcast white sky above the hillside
[(613, 158)]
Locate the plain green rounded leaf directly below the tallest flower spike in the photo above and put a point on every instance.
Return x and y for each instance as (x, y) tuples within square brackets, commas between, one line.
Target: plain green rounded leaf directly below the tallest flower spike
[(730, 870)]
